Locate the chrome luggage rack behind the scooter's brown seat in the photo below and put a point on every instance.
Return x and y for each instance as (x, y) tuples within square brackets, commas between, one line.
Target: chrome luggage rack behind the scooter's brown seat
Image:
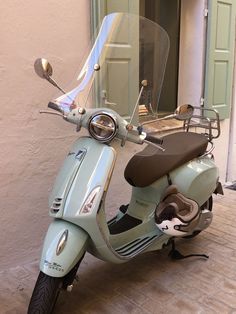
[(207, 119)]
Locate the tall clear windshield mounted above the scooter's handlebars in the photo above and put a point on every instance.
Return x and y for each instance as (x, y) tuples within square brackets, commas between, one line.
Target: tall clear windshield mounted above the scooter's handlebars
[(128, 52)]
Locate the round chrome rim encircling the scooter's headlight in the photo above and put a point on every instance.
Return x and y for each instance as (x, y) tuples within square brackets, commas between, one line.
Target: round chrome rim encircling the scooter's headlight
[(92, 124)]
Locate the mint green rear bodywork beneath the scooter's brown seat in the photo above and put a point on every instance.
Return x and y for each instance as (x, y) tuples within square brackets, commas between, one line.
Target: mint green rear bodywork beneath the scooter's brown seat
[(196, 179)]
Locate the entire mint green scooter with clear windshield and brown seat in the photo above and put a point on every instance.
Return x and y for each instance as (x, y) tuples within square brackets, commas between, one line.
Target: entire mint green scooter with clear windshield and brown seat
[(172, 178)]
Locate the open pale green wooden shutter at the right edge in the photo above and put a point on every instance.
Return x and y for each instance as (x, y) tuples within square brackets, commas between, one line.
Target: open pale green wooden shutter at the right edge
[(220, 56)]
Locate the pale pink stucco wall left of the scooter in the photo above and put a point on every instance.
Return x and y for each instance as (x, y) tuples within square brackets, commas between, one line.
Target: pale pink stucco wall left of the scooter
[(33, 145)]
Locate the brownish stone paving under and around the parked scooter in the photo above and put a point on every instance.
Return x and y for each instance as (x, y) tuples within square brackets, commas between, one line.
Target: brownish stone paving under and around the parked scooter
[(151, 283)]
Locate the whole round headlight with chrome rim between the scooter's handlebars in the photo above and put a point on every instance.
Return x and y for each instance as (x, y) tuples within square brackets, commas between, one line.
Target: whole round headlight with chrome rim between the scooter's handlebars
[(102, 127)]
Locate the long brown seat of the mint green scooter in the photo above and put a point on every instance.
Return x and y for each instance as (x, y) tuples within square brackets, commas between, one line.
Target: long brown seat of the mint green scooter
[(150, 164)]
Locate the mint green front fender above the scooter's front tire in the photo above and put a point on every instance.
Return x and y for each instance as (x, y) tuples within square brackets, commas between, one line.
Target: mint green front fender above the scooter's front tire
[(57, 263)]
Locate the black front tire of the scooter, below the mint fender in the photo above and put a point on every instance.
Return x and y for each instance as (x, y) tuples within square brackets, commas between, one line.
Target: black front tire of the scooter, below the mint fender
[(45, 294)]
